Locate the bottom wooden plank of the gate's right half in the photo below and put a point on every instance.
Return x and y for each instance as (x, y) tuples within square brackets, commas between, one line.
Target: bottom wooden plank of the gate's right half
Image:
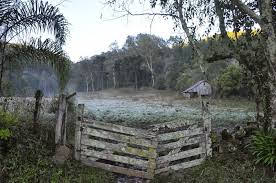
[(180, 166)]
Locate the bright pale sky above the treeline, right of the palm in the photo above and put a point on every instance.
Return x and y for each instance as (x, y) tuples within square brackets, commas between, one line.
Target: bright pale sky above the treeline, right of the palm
[(90, 34)]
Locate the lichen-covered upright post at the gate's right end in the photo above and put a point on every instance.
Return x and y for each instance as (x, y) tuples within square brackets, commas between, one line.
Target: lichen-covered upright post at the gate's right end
[(206, 116)]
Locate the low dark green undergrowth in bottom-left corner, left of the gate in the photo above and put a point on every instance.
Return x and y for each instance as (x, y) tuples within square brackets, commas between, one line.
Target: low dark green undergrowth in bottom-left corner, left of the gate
[(30, 160)]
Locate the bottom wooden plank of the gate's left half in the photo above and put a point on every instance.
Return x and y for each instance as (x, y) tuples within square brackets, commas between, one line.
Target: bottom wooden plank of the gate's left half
[(117, 169)]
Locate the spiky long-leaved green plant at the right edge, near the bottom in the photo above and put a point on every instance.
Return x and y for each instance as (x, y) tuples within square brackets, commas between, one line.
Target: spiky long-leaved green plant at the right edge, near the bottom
[(264, 148)]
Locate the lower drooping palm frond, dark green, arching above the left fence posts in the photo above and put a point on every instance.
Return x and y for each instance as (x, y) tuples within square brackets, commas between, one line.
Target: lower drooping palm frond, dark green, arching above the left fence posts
[(41, 52)]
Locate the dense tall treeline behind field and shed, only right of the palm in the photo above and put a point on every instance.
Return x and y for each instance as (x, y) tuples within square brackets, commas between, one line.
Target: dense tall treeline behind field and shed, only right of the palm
[(150, 61)]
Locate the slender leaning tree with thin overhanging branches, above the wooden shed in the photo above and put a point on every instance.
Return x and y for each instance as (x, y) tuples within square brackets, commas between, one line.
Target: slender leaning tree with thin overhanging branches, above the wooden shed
[(184, 14)]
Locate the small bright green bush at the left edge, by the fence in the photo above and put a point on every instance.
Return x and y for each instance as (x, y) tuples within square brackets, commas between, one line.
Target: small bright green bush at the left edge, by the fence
[(7, 121)]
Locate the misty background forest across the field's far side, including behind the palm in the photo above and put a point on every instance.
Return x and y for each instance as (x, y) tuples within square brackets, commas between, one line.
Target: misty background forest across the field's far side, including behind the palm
[(144, 61)]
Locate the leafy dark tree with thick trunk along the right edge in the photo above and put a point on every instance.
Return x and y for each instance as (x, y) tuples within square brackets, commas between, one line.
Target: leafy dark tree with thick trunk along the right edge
[(244, 15)]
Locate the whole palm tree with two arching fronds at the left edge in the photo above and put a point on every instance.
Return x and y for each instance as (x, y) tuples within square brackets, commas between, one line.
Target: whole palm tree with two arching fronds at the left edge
[(19, 17)]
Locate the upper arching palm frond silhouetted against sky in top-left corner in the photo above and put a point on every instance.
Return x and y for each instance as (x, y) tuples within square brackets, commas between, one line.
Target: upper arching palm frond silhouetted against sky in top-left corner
[(21, 16)]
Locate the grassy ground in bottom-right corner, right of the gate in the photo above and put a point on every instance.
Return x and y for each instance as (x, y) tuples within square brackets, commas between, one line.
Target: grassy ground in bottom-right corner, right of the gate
[(234, 167)]
